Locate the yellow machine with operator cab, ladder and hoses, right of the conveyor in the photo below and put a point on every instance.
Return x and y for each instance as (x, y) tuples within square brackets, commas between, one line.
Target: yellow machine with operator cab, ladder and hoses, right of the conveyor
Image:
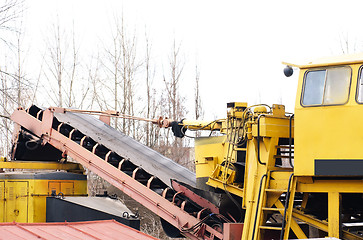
[(293, 172)]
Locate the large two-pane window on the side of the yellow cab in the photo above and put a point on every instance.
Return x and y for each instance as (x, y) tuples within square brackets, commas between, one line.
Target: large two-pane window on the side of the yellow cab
[(326, 87)]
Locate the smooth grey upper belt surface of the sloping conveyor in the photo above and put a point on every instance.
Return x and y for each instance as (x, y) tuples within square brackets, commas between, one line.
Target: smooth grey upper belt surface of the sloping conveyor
[(139, 154)]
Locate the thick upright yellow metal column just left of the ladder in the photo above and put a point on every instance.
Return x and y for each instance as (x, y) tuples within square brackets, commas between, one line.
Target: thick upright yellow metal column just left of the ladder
[(257, 180)]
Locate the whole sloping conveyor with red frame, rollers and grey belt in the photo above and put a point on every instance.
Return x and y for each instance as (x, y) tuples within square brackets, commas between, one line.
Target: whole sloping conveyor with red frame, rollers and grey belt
[(123, 162)]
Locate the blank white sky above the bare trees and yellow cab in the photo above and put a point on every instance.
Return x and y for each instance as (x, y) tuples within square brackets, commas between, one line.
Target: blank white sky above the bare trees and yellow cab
[(238, 45)]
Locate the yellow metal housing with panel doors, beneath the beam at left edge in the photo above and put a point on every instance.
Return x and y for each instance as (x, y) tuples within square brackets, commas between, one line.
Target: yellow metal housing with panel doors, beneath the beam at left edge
[(25, 199)]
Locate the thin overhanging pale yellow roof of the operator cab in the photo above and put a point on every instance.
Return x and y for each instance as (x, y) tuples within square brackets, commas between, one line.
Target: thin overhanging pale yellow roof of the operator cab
[(330, 61)]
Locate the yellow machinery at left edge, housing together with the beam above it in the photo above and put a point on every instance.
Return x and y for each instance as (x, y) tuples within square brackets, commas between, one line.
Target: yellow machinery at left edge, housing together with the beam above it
[(23, 195)]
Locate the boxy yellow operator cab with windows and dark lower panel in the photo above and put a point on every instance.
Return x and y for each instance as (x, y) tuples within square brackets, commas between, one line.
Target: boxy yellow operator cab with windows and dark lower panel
[(328, 109)]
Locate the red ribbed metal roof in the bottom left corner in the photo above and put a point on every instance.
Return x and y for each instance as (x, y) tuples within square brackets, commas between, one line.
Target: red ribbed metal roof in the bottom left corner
[(106, 230)]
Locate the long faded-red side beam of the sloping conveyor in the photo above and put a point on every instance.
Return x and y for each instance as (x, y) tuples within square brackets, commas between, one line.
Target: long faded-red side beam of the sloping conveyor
[(156, 203)]
